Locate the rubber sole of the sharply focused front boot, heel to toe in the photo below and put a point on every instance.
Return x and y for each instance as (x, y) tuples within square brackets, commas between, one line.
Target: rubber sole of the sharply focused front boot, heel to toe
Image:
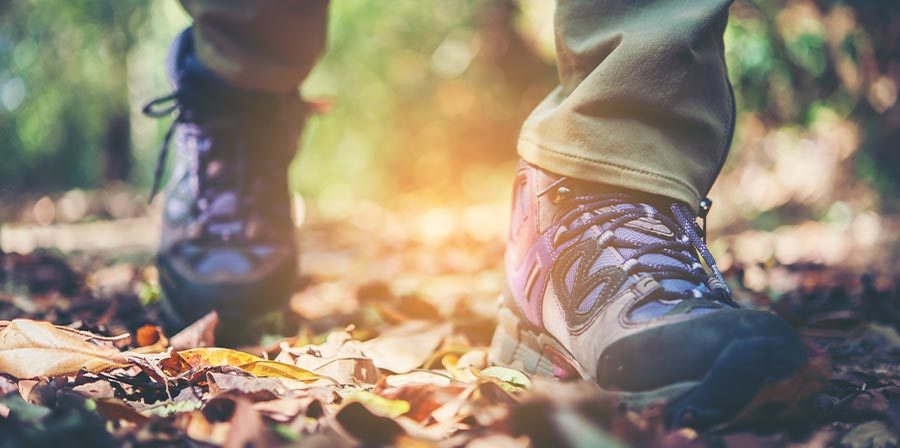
[(517, 345)]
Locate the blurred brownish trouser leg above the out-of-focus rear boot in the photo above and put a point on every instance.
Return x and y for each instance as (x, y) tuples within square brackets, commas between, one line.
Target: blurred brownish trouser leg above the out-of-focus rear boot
[(266, 45)]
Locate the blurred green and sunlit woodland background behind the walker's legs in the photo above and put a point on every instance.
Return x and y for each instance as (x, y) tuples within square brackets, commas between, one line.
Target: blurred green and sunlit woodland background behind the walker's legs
[(428, 96)]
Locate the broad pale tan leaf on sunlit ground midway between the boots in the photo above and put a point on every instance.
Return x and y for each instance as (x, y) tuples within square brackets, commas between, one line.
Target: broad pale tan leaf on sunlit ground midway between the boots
[(407, 346)]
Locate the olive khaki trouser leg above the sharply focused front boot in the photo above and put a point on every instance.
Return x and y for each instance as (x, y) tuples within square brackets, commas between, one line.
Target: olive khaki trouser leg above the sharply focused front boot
[(644, 101)]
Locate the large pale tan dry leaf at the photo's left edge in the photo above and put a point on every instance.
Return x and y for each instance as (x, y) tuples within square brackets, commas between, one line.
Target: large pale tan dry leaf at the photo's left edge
[(30, 349)]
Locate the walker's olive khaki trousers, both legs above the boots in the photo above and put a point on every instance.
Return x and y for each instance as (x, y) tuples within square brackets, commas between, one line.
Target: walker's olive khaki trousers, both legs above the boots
[(643, 101)]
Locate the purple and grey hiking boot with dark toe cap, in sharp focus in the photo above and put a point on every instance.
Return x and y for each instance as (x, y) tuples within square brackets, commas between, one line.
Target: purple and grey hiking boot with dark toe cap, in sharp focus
[(611, 286)]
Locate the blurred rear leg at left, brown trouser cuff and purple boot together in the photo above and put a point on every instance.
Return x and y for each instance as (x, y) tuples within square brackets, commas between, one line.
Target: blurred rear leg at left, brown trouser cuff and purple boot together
[(228, 237)]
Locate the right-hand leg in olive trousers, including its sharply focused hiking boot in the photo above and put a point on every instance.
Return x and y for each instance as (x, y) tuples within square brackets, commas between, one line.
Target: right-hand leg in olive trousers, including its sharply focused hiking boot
[(608, 275)]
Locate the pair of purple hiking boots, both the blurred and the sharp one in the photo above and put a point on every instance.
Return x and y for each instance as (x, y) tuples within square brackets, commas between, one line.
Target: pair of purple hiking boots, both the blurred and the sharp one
[(614, 286)]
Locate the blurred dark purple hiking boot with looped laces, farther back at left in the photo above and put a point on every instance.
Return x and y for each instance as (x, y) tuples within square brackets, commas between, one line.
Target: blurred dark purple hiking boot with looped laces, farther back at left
[(228, 239)]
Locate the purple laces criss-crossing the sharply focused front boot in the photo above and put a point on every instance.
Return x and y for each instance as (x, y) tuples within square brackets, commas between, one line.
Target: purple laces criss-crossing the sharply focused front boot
[(615, 210)]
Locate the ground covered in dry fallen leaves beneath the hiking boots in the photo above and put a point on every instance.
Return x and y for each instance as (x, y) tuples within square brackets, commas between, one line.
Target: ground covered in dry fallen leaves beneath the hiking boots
[(389, 347)]
